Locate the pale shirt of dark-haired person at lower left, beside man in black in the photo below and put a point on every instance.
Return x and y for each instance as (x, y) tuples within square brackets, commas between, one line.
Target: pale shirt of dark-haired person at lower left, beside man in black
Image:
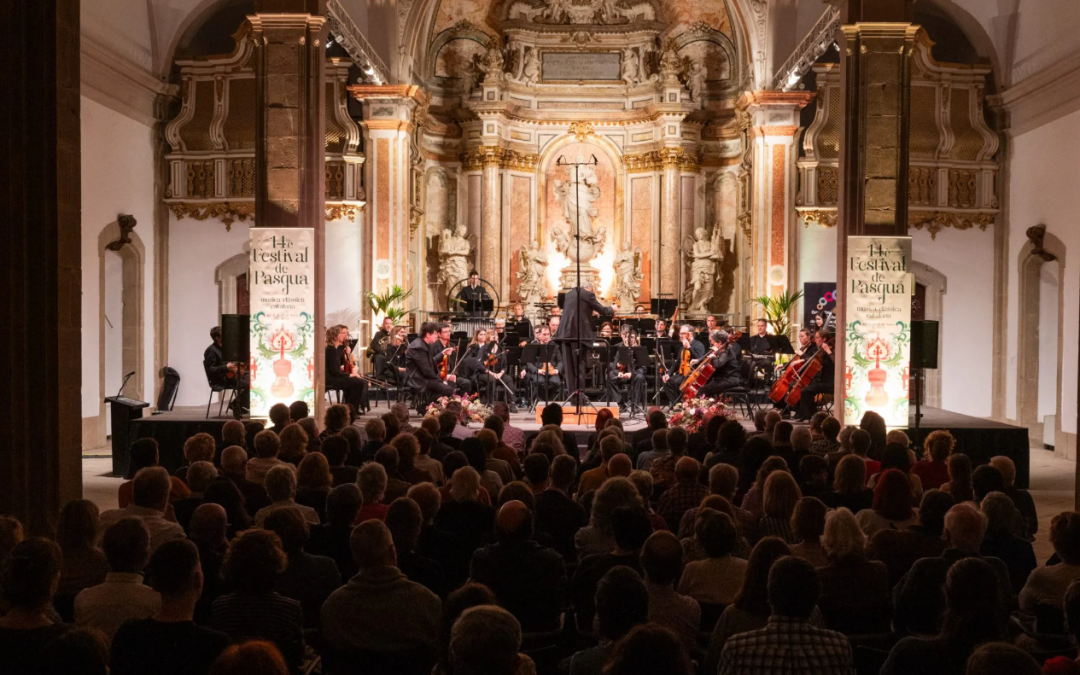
[(121, 598)]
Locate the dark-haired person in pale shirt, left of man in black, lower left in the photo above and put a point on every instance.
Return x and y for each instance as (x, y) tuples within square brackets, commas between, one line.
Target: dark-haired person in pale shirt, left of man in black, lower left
[(123, 596)]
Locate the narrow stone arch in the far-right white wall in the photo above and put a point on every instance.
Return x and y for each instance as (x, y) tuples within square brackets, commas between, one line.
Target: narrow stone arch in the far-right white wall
[(1033, 258)]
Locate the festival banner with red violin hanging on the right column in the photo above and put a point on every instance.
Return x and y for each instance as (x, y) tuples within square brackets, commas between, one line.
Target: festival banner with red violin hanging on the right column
[(877, 329)]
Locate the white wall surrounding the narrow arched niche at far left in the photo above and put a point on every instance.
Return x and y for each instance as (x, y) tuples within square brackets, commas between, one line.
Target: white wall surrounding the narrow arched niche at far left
[(117, 179)]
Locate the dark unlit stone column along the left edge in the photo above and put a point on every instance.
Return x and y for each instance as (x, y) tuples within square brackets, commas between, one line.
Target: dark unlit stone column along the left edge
[(40, 328)]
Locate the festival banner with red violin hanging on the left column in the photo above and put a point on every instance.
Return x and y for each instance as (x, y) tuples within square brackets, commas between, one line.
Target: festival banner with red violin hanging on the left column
[(281, 277)]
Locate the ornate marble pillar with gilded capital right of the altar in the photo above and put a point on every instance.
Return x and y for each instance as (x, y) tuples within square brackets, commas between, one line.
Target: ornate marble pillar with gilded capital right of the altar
[(774, 129)]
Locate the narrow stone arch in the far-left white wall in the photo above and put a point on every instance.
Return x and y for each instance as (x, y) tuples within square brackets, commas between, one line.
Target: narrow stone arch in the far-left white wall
[(133, 262)]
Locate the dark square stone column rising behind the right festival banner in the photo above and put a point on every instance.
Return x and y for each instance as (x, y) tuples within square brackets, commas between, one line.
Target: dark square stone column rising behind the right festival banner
[(876, 48)]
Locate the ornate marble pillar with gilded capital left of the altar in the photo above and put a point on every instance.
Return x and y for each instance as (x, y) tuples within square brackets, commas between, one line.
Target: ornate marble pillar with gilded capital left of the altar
[(389, 118)]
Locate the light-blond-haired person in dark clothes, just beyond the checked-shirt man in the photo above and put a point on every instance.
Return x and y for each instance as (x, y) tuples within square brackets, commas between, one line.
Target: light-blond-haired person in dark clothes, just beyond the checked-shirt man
[(855, 591)]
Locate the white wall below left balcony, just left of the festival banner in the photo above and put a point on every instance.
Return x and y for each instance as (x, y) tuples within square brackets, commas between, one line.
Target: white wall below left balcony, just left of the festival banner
[(196, 249)]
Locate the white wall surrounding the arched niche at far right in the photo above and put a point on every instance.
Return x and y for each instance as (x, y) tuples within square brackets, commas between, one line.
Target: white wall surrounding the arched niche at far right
[(1046, 190)]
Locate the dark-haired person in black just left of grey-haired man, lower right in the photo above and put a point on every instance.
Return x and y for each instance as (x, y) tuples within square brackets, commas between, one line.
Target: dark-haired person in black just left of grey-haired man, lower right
[(899, 549)]
